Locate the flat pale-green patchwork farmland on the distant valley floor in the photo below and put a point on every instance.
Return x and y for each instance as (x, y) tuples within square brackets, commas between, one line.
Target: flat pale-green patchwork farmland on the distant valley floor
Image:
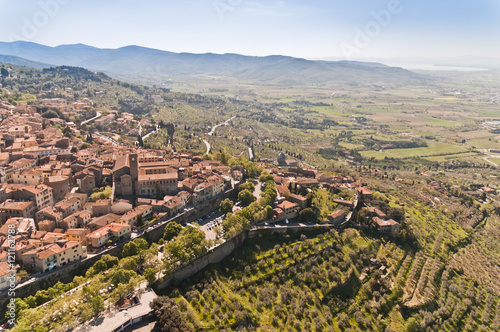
[(305, 120)]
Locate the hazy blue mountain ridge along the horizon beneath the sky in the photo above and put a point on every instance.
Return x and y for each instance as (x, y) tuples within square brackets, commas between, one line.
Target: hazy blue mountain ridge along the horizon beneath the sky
[(137, 64)]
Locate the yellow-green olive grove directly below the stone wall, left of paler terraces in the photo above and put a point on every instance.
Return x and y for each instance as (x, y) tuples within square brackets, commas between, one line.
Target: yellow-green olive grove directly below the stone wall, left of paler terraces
[(299, 284)]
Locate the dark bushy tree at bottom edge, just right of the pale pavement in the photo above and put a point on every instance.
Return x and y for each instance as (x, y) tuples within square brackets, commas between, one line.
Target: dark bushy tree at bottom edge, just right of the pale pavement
[(168, 315)]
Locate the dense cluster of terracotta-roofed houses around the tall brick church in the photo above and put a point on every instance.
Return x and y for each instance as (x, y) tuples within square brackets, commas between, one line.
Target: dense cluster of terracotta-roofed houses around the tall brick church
[(46, 184)]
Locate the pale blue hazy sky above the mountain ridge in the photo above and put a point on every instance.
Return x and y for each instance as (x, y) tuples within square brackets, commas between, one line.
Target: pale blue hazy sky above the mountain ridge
[(313, 28)]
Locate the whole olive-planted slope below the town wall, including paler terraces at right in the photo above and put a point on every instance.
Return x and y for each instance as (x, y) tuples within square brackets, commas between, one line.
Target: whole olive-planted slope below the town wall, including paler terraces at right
[(441, 277)]
